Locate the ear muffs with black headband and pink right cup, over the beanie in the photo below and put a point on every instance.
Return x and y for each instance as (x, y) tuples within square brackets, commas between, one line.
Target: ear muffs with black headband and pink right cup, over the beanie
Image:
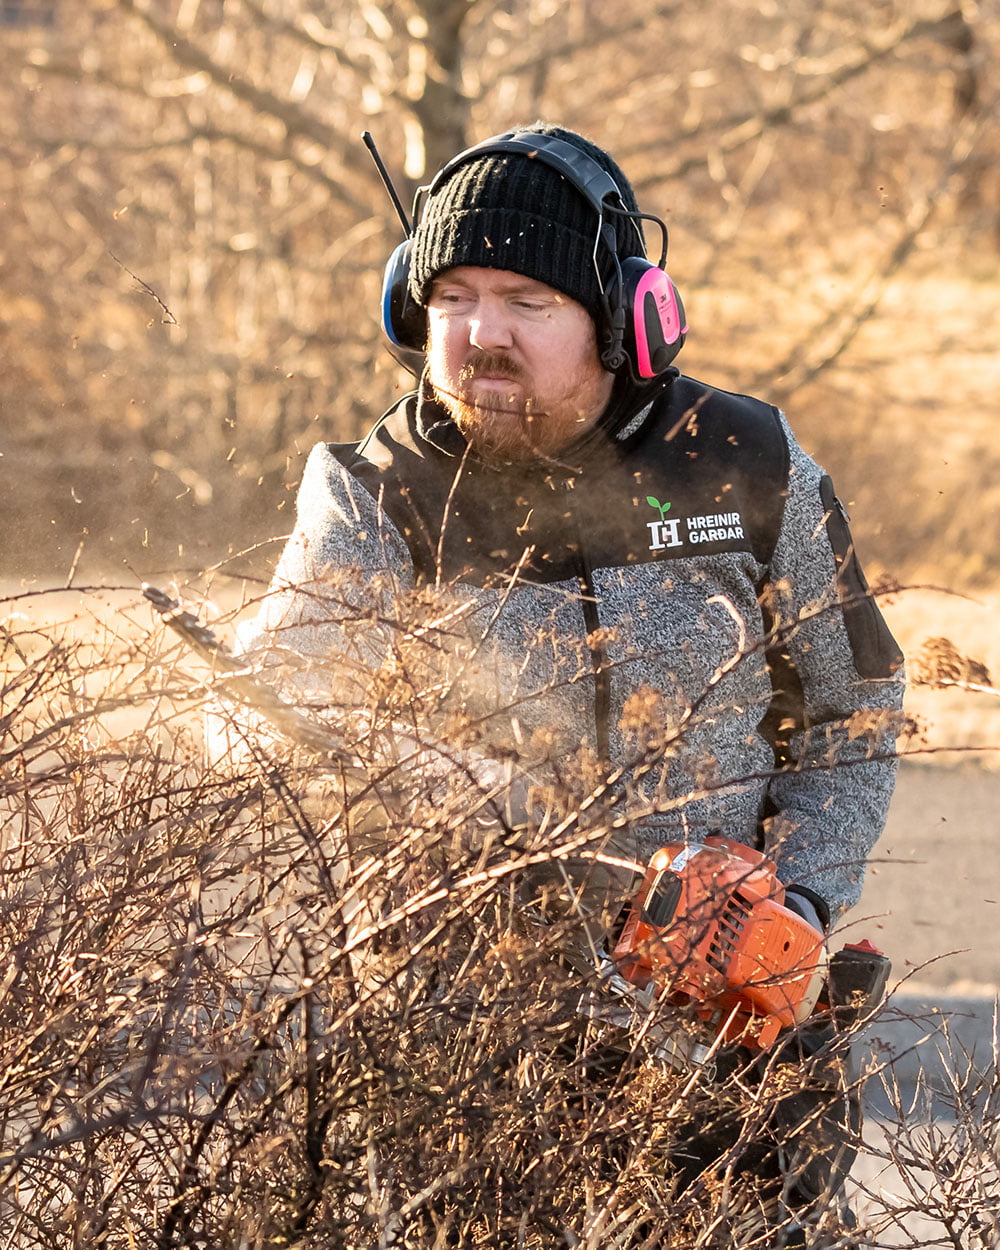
[(646, 317)]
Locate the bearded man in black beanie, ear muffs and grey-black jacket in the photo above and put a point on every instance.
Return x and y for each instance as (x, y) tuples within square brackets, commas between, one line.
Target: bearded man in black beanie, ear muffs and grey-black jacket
[(648, 589)]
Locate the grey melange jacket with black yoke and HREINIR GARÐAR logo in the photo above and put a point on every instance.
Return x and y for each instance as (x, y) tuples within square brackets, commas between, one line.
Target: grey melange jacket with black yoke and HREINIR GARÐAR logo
[(677, 601)]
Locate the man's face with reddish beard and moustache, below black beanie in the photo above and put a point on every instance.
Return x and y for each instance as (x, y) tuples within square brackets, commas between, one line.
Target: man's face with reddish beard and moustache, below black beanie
[(514, 362)]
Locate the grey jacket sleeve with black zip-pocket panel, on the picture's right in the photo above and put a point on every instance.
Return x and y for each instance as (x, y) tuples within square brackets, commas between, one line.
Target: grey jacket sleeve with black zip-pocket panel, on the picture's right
[(839, 684)]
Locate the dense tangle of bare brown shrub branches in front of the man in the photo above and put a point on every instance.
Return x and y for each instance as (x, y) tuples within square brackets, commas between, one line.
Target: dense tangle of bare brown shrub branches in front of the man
[(221, 1029)]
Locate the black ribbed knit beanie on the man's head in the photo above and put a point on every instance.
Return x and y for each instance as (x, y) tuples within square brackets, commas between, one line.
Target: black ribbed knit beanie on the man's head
[(512, 212)]
